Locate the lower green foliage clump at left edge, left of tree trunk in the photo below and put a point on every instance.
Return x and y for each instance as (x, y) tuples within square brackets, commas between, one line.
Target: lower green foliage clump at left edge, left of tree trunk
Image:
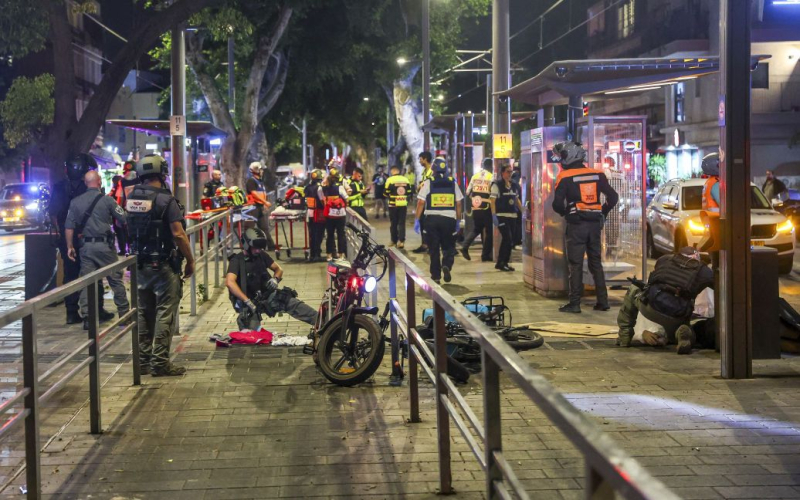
[(27, 109)]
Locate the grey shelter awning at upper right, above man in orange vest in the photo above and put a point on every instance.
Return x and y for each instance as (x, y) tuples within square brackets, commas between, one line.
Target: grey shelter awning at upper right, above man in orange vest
[(604, 78)]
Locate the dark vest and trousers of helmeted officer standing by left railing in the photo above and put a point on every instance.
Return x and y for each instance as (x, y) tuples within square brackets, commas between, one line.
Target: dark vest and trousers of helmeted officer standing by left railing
[(150, 212)]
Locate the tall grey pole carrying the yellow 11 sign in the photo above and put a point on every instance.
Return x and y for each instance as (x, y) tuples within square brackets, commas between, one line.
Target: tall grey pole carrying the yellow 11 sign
[(501, 68)]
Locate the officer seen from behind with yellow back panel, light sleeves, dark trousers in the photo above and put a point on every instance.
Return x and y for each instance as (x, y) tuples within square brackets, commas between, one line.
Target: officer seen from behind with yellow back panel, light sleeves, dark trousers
[(440, 200)]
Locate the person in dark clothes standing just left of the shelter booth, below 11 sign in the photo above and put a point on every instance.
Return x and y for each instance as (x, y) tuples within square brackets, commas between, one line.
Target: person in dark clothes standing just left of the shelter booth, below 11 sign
[(506, 206)]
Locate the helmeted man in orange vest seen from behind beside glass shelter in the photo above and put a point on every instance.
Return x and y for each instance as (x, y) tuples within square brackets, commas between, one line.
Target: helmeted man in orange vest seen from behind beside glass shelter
[(577, 199)]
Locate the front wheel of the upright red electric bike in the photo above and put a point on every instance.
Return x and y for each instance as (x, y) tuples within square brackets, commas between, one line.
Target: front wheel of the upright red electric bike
[(345, 370)]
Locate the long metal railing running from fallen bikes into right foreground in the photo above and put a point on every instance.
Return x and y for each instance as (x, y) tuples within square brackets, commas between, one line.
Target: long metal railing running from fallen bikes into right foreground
[(608, 467)]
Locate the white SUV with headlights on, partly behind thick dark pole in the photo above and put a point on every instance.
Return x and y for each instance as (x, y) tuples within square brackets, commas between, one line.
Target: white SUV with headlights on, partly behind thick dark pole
[(673, 222)]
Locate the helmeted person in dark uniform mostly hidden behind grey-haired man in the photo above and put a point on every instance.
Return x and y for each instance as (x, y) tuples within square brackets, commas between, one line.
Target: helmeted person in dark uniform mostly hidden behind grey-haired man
[(63, 193)]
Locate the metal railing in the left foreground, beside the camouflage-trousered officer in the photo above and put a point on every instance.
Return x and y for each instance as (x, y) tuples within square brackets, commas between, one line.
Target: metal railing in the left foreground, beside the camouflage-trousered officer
[(97, 343)]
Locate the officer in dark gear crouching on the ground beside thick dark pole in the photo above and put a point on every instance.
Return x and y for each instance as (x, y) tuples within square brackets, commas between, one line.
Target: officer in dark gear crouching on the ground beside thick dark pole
[(668, 299)]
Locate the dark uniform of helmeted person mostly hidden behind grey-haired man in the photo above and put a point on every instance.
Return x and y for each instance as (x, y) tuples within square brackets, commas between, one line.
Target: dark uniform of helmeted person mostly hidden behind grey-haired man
[(63, 193)]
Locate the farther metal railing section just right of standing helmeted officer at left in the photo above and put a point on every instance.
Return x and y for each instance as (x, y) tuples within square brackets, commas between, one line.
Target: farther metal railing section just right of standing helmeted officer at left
[(216, 248)]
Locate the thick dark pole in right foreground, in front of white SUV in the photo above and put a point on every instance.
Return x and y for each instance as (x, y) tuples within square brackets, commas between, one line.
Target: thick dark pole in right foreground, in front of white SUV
[(734, 318)]
